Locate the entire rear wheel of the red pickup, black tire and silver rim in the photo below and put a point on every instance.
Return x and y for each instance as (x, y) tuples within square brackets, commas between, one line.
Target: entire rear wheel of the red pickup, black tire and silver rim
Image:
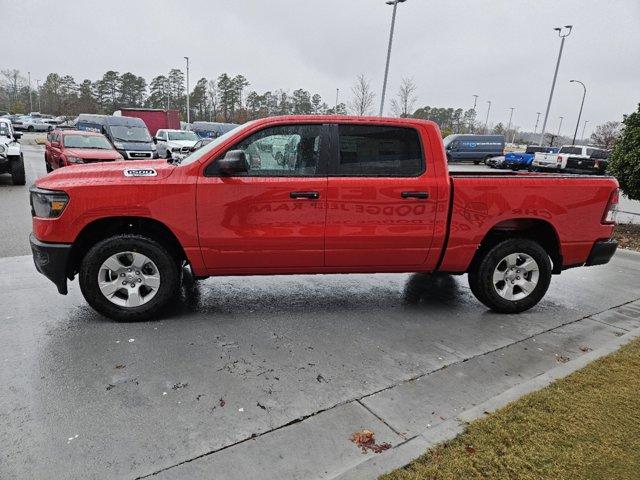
[(512, 276)]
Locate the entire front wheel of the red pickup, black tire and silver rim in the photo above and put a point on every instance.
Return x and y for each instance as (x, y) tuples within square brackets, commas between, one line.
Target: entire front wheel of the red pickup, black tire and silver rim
[(129, 277)]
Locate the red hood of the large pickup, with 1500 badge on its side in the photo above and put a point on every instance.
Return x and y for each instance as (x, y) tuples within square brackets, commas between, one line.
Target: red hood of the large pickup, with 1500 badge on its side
[(122, 172)]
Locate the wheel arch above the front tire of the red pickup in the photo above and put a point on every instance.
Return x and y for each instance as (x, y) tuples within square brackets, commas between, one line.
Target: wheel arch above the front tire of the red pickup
[(106, 227)]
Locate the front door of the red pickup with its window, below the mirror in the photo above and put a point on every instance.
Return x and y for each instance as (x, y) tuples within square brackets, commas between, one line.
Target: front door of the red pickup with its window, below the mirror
[(273, 216)]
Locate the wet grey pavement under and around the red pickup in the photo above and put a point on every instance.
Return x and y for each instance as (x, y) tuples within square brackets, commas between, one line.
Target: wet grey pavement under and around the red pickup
[(267, 377)]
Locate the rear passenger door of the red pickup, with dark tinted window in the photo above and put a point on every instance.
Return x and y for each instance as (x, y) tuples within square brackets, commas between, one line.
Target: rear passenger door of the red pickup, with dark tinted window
[(382, 198)]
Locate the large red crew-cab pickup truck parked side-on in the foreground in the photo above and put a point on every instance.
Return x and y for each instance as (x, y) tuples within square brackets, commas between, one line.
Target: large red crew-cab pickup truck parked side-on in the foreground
[(354, 195)]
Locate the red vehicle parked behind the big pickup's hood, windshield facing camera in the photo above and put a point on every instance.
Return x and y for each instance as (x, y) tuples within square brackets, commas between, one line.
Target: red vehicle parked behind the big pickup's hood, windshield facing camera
[(72, 147)]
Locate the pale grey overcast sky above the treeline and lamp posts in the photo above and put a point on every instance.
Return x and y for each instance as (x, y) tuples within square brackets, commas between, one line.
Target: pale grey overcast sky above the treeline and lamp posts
[(502, 50)]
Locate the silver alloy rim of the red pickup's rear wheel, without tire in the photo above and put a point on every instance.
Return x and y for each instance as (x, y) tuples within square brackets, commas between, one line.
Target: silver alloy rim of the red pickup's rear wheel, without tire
[(516, 276)]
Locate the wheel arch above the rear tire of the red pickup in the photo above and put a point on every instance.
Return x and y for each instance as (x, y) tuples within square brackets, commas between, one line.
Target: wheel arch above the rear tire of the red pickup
[(535, 229)]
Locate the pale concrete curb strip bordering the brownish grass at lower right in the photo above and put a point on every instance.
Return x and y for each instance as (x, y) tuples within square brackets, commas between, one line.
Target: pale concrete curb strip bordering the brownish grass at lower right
[(404, 453)]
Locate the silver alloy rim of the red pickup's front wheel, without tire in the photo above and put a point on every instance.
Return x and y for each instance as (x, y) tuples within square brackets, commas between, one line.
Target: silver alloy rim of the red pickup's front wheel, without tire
[(128, 279)]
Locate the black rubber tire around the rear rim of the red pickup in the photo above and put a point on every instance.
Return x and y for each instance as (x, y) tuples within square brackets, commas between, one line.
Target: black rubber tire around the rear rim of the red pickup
[(483, 267)]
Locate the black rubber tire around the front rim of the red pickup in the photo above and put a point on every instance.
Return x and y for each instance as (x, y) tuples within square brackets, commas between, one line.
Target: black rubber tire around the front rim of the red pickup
[(168, 269)]
